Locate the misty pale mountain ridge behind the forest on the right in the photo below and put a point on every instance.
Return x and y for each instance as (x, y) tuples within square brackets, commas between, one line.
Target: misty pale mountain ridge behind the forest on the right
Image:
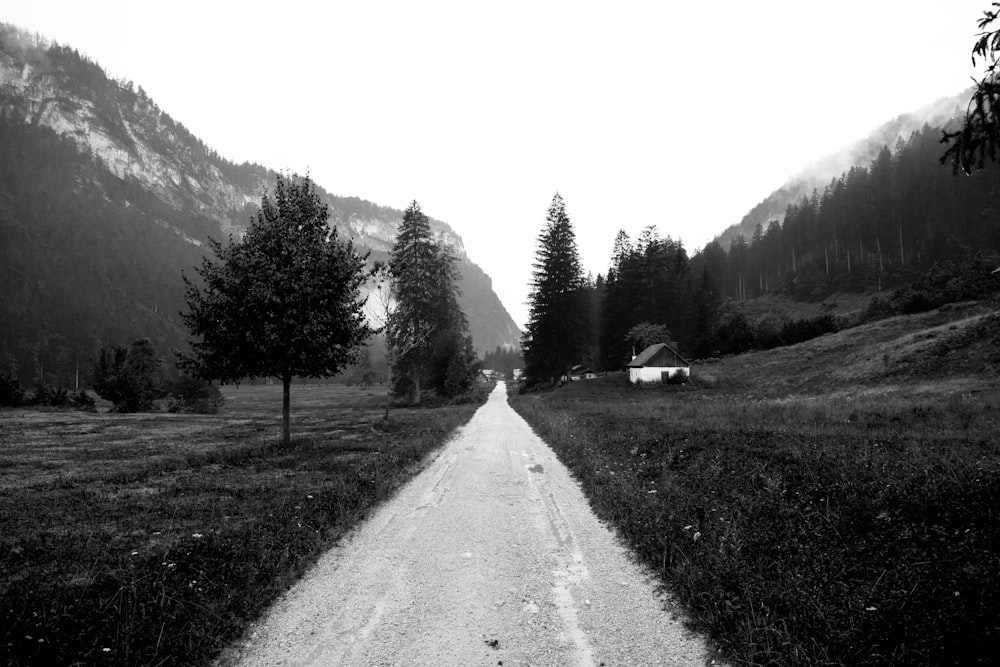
[(818, 175)]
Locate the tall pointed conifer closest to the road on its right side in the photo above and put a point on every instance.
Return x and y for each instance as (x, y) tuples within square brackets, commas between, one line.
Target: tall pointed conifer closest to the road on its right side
[(557, 318)]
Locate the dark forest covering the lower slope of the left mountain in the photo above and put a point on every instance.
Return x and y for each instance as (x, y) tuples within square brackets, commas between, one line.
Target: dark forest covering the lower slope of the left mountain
[(81, 267)]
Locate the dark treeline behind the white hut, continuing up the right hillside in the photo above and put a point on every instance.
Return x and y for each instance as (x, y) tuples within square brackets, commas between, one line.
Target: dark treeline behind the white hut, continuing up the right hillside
[(904, 227)]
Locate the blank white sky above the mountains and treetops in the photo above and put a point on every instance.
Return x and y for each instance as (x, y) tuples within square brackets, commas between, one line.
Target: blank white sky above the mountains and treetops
[(678, 114)]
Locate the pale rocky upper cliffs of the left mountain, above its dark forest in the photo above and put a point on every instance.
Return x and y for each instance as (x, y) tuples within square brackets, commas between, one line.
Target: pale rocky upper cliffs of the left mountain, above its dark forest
[(174, 180)]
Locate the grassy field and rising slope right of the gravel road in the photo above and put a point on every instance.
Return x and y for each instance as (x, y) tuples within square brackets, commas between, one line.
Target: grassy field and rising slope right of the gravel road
[(831, 503)]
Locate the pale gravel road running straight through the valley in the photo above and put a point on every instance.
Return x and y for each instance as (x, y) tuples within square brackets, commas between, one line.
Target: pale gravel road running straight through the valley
[(491, 556)]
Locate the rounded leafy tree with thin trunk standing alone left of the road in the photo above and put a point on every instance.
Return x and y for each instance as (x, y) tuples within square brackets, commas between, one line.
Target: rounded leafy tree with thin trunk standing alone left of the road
[(283, 302)]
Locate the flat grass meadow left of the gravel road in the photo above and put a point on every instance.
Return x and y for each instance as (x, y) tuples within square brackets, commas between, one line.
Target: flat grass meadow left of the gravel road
[(154, 539)]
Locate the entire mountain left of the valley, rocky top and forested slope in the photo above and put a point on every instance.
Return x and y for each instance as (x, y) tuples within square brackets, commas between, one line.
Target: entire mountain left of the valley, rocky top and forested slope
[(105, 200)]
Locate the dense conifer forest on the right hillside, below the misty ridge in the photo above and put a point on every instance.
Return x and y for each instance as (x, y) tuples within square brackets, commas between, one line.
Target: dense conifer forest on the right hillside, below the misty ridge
[(873, 227)]
